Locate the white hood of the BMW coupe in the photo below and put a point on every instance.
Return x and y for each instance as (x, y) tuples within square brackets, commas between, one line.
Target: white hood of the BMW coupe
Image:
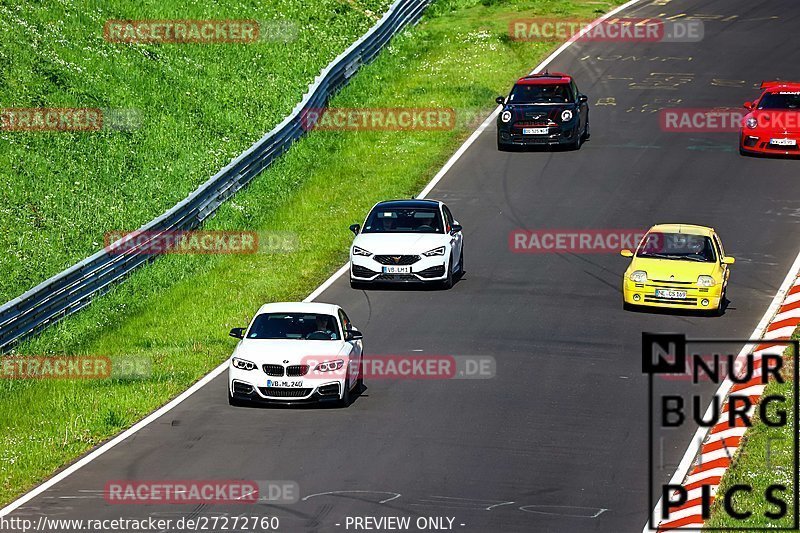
[(294, 351)]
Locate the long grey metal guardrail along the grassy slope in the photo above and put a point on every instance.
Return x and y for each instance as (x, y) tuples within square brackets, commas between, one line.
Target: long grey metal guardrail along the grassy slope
[(75, 287)]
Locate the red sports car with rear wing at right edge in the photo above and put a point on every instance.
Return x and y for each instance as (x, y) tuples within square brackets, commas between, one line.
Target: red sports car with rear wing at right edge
[(772, 125)]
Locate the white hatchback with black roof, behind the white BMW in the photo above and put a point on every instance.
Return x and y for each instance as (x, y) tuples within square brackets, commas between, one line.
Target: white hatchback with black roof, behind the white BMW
[(407, 241)]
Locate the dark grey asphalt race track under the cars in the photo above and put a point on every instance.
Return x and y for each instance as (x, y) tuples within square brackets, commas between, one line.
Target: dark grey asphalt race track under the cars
[(558, 440)]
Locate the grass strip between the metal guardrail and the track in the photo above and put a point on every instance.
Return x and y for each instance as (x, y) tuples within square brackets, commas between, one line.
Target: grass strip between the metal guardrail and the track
[(175, 313)]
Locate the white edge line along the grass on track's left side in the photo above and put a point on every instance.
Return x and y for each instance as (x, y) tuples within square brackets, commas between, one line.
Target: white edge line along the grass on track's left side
[(319, 290)]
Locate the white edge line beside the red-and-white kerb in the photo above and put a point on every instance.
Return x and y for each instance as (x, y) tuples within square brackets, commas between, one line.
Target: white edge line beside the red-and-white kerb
[(722, 392)]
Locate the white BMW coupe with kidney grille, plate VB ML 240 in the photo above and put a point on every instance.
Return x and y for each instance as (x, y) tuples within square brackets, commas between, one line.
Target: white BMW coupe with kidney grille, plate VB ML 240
[(296, 353)]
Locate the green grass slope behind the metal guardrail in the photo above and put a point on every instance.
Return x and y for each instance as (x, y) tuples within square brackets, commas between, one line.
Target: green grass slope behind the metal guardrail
[(193, 107)]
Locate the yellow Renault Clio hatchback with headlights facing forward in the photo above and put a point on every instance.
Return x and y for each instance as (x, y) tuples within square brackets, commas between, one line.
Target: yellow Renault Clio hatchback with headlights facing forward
[(680, 266)]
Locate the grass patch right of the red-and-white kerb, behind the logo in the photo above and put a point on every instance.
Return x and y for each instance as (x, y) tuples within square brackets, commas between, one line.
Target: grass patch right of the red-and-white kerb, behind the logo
[(766, 457)]
